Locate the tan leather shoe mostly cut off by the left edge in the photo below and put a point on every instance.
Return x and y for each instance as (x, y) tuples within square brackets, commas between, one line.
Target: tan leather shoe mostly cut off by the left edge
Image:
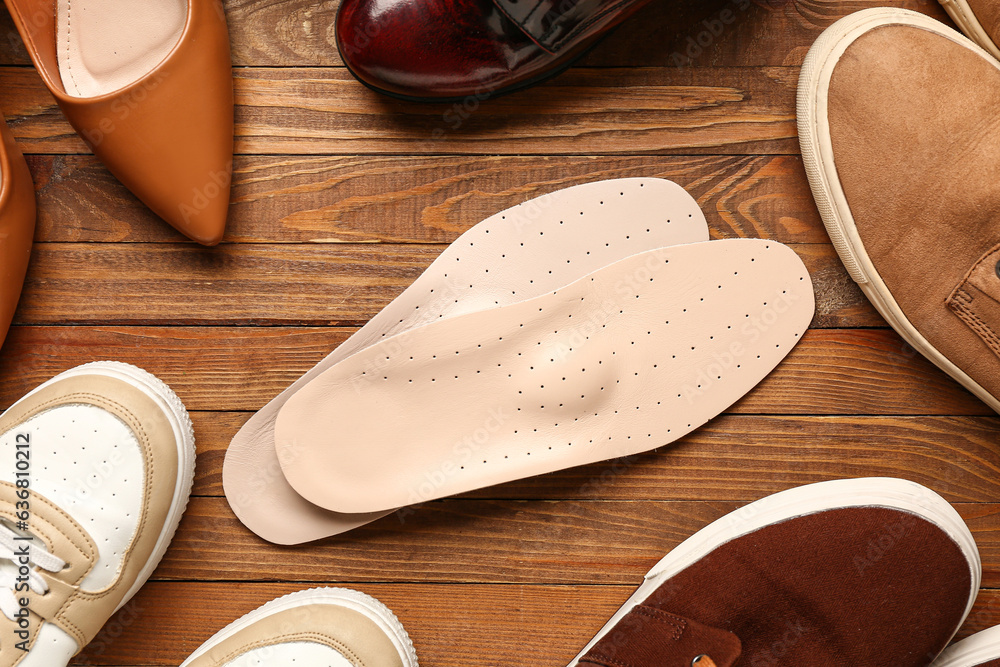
[(17, 225)]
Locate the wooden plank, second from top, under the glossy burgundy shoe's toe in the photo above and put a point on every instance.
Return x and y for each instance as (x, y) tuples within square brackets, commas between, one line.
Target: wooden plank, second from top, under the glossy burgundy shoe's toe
[(586, 111)]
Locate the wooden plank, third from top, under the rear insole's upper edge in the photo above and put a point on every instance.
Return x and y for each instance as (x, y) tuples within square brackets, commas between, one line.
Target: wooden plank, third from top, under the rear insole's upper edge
[(361, 199)]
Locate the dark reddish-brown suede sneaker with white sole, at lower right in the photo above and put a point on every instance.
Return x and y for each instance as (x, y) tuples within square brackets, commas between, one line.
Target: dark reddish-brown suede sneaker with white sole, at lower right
[(861, 572)]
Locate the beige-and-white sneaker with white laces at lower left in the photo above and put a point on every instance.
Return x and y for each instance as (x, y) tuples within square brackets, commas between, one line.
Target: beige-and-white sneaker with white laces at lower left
[(95, 473)]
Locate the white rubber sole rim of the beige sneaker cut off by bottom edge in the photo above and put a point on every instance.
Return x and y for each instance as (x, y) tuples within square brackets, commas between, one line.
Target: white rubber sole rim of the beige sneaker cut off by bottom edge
[(355, 600)]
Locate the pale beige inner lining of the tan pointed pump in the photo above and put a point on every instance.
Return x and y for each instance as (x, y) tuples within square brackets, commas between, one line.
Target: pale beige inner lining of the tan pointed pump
[(105, 45)]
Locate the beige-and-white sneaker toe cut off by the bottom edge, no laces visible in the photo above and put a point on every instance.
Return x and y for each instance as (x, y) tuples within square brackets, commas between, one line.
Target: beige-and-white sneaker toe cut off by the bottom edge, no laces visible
[(322, 627)]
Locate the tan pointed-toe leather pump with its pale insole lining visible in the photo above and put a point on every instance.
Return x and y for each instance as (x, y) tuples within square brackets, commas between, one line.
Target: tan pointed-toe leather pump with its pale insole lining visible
[(148, 85)]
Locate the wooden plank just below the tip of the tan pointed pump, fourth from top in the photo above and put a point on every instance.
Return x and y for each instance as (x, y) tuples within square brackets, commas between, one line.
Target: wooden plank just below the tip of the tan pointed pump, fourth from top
[(90, 283)]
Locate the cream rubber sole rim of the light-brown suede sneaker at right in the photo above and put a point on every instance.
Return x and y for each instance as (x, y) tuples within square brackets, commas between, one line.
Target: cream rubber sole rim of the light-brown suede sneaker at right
[(818, 158)]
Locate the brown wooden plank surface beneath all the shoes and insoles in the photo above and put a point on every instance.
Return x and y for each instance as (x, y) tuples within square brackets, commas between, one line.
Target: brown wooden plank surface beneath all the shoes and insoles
[(343, 197)]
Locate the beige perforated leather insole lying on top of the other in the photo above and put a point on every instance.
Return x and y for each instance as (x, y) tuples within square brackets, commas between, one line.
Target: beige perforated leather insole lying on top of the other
[(627, 359)]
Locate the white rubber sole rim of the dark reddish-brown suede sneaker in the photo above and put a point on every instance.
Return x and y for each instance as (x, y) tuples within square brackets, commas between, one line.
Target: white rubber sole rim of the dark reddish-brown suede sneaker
[(804, 500)]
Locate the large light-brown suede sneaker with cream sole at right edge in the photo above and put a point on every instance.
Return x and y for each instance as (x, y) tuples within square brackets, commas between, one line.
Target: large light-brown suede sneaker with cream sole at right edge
[(897, 122)]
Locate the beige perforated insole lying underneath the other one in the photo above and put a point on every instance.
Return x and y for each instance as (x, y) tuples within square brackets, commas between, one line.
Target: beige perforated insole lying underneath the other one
[(519, 253)]
